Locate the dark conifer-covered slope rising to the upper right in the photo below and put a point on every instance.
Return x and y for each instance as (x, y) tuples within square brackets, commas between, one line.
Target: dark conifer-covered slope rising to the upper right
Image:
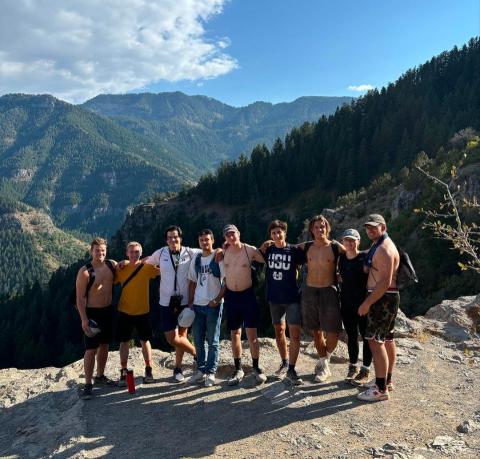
[(379, 132)]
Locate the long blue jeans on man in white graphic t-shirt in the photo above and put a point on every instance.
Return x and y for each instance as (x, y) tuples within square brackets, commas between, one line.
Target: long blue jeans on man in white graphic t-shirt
[(206, 335)]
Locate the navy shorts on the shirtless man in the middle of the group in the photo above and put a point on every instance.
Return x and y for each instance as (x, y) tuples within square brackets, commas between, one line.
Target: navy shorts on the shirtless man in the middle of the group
[(241, 308)]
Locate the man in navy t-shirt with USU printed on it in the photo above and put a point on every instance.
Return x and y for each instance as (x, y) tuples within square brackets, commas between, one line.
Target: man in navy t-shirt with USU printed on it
[(281, 261)]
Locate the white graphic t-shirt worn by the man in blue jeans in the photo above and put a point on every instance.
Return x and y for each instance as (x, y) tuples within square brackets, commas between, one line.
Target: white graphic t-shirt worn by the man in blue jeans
[(208, 286)]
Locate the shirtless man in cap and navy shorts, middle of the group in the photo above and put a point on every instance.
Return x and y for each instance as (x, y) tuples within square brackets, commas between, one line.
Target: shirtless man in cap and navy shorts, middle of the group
[(240, 302)]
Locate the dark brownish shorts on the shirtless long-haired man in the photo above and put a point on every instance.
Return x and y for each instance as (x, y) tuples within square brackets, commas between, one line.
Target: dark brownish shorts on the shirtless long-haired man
[(321, 309)]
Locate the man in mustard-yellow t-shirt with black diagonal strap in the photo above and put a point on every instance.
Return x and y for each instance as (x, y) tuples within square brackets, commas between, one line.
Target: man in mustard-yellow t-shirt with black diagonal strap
[(134, 309)]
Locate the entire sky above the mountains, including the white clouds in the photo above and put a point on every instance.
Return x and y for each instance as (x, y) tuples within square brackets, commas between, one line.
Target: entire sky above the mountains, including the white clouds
[(238, 51)]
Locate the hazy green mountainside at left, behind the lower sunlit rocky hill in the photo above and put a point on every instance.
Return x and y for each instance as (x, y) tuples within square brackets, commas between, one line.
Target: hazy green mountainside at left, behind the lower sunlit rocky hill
[(81, 168)]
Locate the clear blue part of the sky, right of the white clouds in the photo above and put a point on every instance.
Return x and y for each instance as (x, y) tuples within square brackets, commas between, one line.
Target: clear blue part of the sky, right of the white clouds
[(286, 49)]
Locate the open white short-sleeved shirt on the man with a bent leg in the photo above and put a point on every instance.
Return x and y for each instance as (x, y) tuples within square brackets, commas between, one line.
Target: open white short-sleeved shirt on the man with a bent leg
[(161, 257)]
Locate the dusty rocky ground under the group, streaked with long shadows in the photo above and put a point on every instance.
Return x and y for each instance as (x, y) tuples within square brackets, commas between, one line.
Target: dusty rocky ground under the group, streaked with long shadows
[(433, 412)]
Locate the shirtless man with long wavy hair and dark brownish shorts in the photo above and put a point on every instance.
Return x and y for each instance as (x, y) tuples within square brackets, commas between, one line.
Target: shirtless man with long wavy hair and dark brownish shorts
[(320, 300)]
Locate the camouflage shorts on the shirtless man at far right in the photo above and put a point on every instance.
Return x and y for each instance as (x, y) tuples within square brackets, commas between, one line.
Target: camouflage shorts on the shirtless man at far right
[(381, 318)]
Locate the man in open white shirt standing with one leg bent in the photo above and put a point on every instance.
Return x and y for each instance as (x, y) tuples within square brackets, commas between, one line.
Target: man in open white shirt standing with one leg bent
[(174, 262)]
